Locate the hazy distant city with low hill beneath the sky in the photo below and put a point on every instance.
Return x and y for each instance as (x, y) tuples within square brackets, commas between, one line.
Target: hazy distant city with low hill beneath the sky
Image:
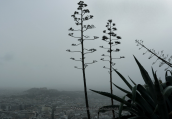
[(43, 103)]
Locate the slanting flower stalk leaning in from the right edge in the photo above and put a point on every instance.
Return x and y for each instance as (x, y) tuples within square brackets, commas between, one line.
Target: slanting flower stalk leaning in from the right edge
[(161, 56)]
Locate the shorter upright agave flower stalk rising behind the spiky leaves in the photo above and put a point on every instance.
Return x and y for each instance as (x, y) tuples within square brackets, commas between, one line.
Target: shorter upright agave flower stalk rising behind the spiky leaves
[(111, 28)]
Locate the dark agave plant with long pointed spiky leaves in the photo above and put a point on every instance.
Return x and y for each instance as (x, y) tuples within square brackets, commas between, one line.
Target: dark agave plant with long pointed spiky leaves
[(154, 101)]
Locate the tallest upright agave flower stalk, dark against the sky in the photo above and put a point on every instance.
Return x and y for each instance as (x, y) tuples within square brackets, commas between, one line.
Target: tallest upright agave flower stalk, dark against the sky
[(81, 39)]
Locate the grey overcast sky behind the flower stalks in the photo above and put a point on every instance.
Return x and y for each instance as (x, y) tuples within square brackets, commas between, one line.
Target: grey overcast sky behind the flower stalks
[(34, 39)]
